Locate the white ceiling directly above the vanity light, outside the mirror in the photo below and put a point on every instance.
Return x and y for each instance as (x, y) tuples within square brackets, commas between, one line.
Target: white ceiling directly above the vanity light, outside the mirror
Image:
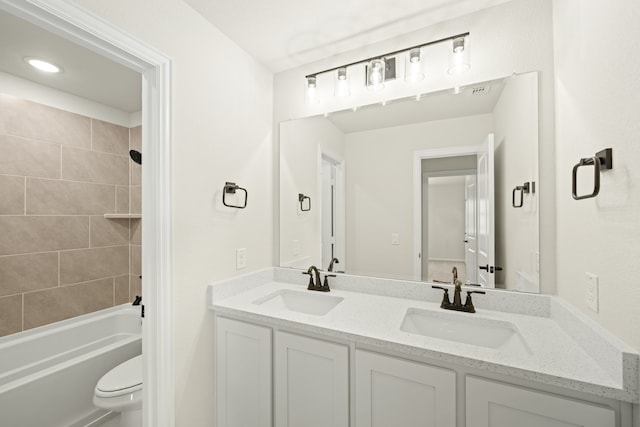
[(284, 34)]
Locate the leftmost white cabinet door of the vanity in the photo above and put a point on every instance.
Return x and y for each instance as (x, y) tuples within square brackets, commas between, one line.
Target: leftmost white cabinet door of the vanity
[(243, 374)]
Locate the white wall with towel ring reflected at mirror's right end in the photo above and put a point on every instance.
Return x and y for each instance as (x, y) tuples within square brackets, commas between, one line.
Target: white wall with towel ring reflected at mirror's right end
[(516, 160)]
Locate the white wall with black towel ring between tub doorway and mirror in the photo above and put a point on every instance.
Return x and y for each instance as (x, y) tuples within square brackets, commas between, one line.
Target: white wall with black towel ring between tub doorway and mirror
[(222, 131)]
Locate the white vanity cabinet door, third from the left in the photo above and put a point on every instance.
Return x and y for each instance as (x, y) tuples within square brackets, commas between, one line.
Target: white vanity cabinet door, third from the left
[(396, 392)]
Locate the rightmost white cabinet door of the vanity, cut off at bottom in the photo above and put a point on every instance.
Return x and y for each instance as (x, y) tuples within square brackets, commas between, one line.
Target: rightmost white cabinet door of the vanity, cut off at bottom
[(491, 404)]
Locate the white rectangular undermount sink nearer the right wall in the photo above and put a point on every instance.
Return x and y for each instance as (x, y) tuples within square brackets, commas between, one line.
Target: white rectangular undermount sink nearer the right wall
[(467, 329)]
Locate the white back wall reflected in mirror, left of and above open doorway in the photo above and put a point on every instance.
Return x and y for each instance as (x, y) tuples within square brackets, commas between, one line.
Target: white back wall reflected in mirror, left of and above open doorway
[(379, 189)]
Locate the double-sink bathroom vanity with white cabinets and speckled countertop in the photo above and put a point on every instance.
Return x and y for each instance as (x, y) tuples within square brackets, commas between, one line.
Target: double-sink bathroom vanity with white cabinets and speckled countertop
[(370, 354)]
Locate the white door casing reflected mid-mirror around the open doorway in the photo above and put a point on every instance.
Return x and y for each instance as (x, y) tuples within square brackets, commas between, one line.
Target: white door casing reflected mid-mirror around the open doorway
[(418, 156)]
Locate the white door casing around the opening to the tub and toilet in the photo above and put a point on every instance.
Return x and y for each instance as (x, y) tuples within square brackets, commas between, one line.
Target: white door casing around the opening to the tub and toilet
[(70, 21)]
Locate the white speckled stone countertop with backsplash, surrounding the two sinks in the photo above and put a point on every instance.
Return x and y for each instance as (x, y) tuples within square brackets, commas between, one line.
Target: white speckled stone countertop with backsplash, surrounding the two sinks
[(563, 347)]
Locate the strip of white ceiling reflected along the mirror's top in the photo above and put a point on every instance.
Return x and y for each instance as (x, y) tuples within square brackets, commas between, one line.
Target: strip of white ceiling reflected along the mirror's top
[(472, 100)]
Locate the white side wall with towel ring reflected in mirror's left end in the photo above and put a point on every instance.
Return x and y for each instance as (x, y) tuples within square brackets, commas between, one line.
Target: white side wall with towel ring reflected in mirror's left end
[(299, 141)]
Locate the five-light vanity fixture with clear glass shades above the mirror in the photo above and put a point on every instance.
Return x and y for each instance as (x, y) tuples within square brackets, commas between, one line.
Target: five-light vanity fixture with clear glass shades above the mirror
[(382, 67)]
